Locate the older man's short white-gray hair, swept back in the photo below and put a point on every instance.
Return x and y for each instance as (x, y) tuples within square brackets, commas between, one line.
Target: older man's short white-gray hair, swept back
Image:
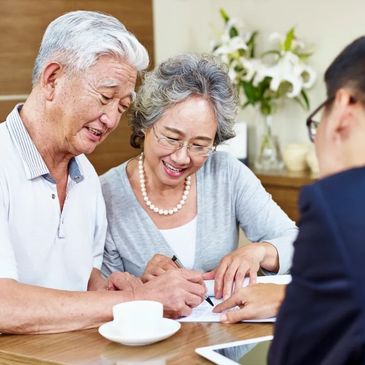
[(76, 39)]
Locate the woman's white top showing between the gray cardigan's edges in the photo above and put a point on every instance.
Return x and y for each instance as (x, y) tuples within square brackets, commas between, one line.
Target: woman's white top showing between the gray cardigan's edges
[(183, 242)]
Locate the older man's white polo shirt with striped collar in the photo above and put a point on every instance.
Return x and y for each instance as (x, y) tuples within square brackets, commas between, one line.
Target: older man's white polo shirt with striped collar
[(39, 244)]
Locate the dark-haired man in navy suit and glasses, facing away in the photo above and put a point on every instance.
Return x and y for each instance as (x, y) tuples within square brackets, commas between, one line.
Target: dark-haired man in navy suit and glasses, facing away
[(322, 319)]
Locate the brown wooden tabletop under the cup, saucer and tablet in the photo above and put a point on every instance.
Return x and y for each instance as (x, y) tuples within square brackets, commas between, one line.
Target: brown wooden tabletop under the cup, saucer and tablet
[(89, 348)]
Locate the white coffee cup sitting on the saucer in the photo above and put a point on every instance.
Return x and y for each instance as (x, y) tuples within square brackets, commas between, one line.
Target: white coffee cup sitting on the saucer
[(139, 318)]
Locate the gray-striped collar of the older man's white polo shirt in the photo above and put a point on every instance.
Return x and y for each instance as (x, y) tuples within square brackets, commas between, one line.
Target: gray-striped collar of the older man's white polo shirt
[(32, 159)]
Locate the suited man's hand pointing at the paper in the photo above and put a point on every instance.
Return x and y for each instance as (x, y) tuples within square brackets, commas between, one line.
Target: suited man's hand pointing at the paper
[(254, 302)]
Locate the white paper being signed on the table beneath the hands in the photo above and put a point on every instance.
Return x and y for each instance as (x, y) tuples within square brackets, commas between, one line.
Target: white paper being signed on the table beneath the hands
[(203, 312)]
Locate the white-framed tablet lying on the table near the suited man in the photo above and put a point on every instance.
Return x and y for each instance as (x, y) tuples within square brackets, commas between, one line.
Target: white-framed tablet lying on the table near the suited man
[(253, 351)]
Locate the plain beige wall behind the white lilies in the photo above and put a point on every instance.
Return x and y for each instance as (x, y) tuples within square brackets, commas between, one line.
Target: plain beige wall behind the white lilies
[(190, 25)]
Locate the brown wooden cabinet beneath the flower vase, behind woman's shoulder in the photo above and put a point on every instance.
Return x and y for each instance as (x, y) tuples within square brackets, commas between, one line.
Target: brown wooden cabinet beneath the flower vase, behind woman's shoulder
[(284, 186)]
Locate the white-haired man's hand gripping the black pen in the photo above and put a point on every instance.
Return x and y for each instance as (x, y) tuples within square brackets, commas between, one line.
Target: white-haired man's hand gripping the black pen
[(178, 290)]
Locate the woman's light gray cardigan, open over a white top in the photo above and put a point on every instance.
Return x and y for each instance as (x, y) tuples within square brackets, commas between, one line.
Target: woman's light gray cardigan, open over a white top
[(229, 196)]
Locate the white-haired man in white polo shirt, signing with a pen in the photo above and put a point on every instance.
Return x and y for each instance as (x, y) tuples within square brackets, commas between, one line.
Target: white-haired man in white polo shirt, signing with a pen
[(52, 214)]
